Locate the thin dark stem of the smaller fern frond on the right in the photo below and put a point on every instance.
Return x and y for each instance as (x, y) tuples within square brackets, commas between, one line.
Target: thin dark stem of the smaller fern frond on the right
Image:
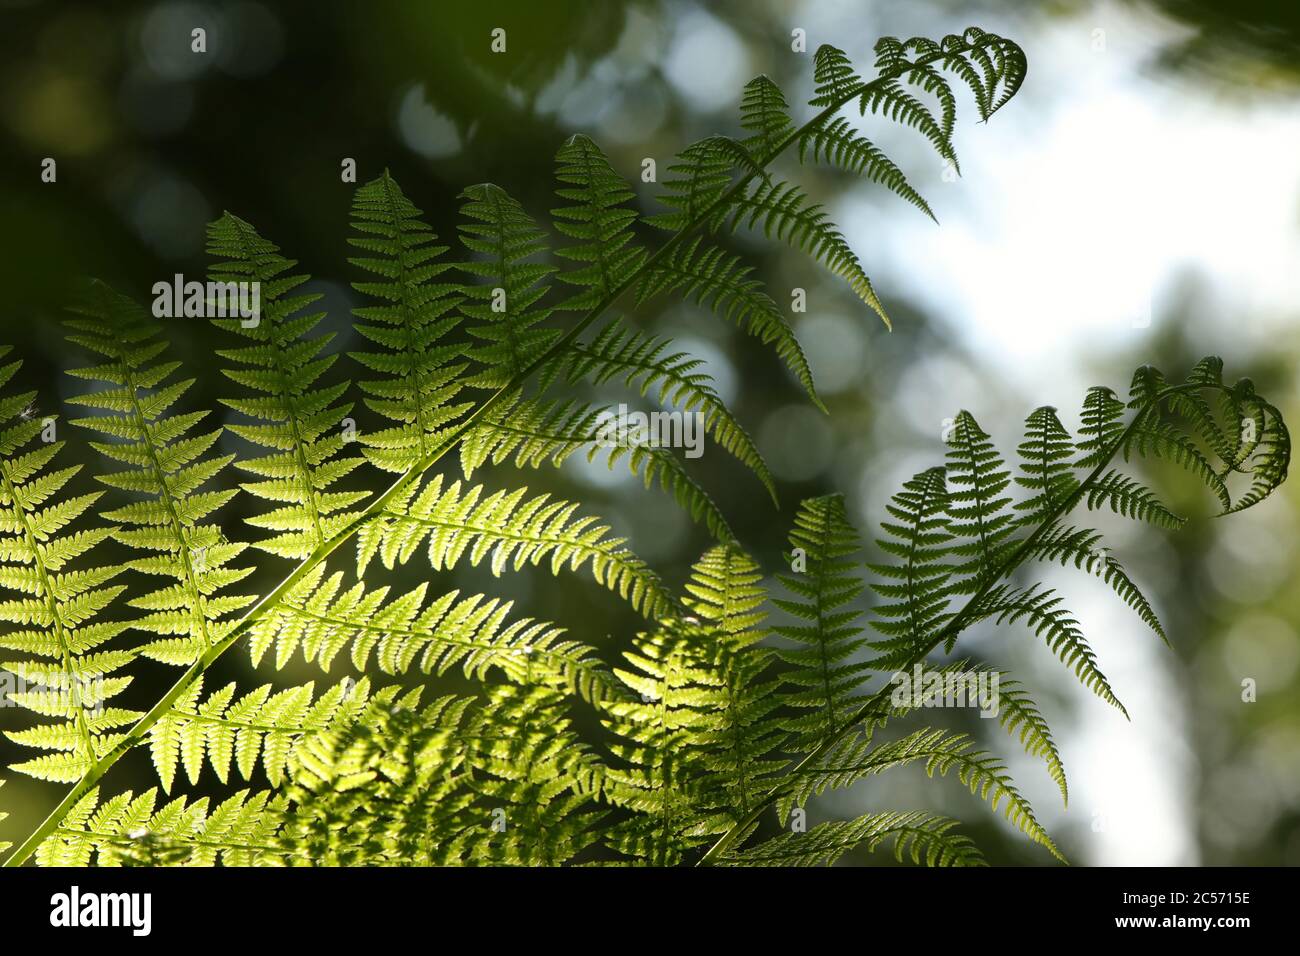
[(955, 626)]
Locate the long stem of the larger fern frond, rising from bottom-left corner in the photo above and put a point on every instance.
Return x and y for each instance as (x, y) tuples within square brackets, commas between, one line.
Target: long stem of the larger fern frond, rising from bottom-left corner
[(323, 551)]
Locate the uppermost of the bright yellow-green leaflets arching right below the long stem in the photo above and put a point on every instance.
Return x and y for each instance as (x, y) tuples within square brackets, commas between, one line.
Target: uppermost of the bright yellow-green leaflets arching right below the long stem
[(513, 531)]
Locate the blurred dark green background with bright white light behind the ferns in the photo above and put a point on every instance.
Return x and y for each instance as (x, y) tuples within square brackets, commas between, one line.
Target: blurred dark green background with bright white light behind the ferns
[(1138, 204)]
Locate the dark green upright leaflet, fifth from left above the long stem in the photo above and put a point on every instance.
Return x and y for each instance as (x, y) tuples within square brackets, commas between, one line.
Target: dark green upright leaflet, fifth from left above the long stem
[(505, 308)]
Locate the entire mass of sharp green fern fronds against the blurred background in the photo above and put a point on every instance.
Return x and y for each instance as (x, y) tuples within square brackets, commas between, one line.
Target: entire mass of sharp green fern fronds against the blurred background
[(713, 717)]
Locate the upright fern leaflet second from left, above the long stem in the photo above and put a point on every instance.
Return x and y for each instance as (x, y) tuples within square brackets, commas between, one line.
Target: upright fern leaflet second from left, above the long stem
[(167, 466)]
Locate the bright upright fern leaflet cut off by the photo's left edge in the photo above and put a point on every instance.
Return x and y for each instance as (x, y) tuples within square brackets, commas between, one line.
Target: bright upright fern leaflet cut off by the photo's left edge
[(67, 674)]
